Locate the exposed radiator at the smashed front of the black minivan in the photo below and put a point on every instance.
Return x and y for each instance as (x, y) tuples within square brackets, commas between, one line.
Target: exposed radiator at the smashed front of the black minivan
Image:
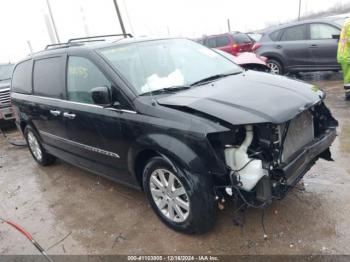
[(300, 132)]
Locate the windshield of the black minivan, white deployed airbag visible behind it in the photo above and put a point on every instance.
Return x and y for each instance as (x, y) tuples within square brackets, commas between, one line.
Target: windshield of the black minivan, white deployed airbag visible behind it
[(155, 65)]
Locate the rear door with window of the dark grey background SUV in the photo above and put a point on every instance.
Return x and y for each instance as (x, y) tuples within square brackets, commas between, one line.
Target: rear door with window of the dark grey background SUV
[(293, 46)]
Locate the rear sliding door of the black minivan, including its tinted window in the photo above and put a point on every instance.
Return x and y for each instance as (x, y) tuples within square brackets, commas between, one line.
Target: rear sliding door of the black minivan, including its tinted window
[(46, 105)]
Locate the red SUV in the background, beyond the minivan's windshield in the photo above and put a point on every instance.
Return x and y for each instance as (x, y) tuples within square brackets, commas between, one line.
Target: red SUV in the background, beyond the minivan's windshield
[(232, 43)]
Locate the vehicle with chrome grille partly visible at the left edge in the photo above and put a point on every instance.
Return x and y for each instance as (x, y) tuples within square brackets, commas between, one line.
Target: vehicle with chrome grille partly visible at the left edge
[(6, 112)]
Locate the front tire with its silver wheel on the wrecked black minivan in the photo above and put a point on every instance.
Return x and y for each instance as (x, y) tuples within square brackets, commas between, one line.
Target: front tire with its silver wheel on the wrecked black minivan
[(184, 202)]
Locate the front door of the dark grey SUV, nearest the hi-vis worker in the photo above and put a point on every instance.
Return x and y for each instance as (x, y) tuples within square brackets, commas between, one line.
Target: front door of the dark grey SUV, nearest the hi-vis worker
[(322, 45)]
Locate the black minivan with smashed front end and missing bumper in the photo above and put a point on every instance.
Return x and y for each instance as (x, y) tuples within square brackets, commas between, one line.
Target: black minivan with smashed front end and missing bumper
[(173, 118)]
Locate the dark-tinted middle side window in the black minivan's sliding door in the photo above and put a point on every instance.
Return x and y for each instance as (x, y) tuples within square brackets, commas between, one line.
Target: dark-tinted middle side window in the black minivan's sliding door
[(48, 77)]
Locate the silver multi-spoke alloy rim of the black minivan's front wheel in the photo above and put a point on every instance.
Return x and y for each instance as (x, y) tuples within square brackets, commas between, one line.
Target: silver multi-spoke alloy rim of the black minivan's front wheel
[(169, 195)]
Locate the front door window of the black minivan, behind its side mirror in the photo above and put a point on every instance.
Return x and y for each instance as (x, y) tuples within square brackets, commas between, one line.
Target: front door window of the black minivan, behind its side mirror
[(82, 76)]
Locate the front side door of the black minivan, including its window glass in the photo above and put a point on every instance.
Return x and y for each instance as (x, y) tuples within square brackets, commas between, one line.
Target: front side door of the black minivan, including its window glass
[(95, 132)]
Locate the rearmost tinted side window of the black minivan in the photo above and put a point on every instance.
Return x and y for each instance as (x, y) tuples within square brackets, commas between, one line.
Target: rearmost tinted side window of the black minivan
[(21, 81)]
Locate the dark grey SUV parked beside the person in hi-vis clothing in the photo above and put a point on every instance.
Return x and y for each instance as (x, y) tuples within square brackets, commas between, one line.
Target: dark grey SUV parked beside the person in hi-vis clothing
[(303, 46)]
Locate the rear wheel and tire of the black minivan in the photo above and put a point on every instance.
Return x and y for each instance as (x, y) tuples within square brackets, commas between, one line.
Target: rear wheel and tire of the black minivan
[(36, 149)]
